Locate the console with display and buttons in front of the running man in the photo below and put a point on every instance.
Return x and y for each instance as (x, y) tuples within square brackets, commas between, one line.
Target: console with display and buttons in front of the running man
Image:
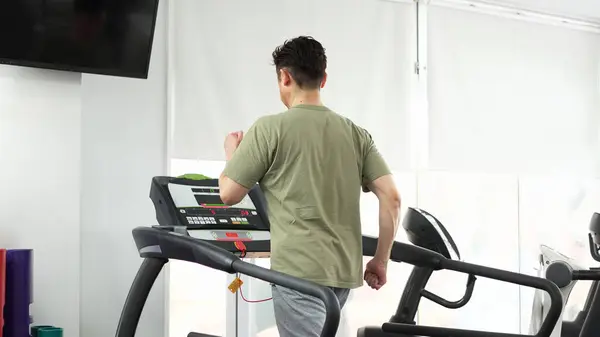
[(196, 204)]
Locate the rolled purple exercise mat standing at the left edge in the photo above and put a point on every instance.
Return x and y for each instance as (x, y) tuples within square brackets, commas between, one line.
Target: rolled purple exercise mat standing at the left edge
[(19, 292)]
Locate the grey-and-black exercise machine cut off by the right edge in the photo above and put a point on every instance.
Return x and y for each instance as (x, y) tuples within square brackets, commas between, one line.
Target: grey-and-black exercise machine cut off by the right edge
[(565, 273)]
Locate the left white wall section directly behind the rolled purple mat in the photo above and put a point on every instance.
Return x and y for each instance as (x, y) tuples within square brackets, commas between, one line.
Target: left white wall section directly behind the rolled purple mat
[(40, 112)]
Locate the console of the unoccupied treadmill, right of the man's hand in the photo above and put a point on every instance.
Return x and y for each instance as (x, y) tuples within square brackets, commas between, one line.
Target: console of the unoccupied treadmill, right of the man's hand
[(425, 231)]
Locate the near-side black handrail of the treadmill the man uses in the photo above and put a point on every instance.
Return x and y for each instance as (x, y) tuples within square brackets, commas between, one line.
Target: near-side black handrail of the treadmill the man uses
[(160, 243)]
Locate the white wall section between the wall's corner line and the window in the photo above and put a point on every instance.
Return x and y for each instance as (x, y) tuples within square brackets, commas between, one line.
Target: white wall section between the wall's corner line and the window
[(123, 146)]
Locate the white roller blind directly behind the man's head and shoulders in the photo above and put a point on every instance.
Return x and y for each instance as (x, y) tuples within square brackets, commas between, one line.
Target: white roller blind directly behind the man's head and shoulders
[(224, 79)]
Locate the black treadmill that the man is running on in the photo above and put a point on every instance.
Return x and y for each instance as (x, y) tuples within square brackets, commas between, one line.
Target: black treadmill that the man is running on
[(195, 226)]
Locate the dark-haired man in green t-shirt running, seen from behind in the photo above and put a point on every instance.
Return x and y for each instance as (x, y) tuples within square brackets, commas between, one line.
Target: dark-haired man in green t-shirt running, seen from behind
[(311, 163)]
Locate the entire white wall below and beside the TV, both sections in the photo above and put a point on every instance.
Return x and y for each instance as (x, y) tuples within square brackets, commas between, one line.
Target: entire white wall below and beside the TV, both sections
[(76, 157)]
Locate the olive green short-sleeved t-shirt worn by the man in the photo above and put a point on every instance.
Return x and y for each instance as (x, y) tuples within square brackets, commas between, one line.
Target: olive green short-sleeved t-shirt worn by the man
[(311, 163)]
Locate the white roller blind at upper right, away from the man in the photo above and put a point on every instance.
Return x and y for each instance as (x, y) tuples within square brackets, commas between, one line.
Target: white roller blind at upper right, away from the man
[(511, 96)]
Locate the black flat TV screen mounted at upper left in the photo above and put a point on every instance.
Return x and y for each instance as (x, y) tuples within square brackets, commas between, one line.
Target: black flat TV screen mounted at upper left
[(109, 37)]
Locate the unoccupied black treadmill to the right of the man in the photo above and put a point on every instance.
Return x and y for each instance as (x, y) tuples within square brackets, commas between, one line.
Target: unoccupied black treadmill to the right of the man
[(426, 231)]
